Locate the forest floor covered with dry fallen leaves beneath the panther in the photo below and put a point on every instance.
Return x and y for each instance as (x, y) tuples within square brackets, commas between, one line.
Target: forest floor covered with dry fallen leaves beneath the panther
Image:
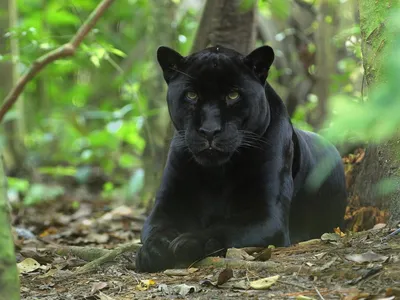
[(360, 263)]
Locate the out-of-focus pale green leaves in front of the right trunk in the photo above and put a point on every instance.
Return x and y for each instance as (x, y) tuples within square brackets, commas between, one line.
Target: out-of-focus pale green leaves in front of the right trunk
[(373, 117)]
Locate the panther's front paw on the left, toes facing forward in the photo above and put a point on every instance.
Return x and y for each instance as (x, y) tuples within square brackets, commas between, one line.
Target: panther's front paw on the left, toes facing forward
[(155, 255)]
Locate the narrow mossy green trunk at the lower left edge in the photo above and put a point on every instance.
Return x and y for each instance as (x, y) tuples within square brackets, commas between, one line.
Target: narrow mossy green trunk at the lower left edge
[(9, 280)]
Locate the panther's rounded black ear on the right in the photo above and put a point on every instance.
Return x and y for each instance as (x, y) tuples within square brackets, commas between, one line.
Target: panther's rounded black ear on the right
[(260, 60)]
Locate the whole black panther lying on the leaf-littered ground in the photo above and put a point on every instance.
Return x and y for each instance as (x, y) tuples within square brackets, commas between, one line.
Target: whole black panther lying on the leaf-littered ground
[(238, 173)]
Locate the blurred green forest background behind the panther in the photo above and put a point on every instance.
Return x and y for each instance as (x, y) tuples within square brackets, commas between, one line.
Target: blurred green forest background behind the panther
[(99, 120)]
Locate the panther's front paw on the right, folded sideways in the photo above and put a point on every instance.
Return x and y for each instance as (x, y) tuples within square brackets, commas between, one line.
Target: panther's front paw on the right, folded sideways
[(190, 247)]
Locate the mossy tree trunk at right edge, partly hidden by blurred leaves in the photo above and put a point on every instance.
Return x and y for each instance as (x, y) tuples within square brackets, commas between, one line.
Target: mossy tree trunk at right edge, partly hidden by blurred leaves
[(381, 161)]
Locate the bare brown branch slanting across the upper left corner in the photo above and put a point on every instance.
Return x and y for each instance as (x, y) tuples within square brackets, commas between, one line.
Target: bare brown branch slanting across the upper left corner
[(65, 50)]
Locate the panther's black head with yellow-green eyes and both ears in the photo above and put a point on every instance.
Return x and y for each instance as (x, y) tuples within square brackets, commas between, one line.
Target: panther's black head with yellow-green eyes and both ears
[(216, 99)]
